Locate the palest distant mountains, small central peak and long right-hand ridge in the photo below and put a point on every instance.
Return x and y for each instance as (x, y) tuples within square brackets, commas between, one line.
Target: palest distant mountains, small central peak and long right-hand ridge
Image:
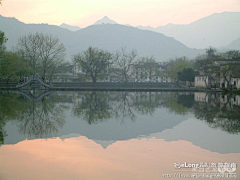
[(217, 30)]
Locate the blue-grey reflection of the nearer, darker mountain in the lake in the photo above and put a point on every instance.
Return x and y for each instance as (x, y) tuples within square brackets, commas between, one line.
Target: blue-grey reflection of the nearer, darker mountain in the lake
[(110, 130)]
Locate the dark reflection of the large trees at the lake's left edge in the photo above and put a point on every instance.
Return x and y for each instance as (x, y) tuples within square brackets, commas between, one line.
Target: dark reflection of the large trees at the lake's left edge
[(33, 118)]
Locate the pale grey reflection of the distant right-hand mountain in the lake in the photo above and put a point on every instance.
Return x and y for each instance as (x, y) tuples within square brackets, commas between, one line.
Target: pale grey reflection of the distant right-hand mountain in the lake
[(203, 136)]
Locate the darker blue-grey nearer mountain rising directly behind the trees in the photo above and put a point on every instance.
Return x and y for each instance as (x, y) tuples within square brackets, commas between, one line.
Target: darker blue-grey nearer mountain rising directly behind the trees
[(109, 37)]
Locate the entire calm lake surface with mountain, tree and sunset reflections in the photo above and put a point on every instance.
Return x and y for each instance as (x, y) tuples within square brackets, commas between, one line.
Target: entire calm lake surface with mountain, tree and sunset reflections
[(118, 135)]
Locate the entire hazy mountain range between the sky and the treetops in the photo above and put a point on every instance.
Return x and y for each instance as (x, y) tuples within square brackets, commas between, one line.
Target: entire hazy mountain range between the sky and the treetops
[(218, 30)]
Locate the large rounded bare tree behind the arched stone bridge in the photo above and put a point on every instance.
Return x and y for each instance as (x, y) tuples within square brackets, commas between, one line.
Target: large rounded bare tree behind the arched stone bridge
[(43, 51)]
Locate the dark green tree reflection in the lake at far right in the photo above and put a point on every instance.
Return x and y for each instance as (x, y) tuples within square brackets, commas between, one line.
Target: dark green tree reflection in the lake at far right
[(225, 116)]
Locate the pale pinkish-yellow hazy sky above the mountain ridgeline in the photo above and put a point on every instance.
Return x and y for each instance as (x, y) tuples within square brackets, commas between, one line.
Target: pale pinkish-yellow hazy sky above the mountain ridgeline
[(134, 12)]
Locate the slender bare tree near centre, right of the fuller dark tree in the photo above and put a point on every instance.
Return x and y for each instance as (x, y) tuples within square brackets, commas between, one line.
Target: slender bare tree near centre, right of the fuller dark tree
[(124, 62)]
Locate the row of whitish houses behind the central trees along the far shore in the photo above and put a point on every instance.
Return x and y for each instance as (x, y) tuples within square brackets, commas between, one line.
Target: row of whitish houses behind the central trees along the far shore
[(138, 73)]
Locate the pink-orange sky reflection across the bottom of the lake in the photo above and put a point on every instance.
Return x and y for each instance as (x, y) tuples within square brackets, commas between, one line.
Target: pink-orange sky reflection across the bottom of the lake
[(81, 158)]
